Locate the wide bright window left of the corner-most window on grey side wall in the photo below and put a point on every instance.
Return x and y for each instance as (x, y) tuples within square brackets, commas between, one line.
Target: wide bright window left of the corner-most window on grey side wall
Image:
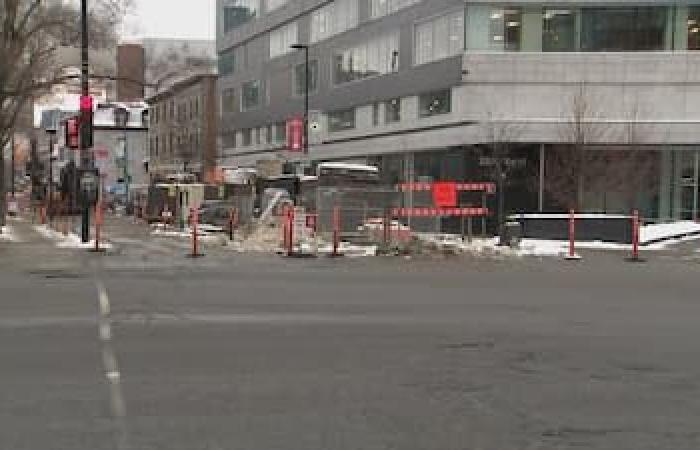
[(376, 57)]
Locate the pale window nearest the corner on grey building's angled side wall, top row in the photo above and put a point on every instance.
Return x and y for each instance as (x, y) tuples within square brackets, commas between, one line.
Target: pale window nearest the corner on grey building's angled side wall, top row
[(439, 38)]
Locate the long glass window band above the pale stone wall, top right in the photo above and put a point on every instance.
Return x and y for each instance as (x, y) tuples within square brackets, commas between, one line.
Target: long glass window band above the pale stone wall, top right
[(532, 27)]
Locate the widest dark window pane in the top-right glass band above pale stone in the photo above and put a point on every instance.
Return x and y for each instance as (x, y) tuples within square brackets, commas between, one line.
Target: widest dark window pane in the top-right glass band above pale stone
[(641, 28)]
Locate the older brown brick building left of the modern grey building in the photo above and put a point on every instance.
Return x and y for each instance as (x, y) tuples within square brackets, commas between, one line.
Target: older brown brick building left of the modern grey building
[(183, 133)]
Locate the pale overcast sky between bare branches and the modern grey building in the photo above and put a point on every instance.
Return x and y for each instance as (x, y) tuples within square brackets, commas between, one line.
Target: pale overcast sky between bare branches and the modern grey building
[(185, 19)]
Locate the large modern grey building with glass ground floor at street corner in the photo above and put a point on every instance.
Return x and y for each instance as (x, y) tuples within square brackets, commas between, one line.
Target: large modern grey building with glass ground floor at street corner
[(588, 103)]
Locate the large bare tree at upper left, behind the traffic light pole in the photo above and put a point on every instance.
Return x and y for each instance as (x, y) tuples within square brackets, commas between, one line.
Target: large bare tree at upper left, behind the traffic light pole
[(31, 32)]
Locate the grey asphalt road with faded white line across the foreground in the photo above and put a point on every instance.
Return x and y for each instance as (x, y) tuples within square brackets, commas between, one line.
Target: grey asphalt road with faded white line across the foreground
[(150, 350)]
